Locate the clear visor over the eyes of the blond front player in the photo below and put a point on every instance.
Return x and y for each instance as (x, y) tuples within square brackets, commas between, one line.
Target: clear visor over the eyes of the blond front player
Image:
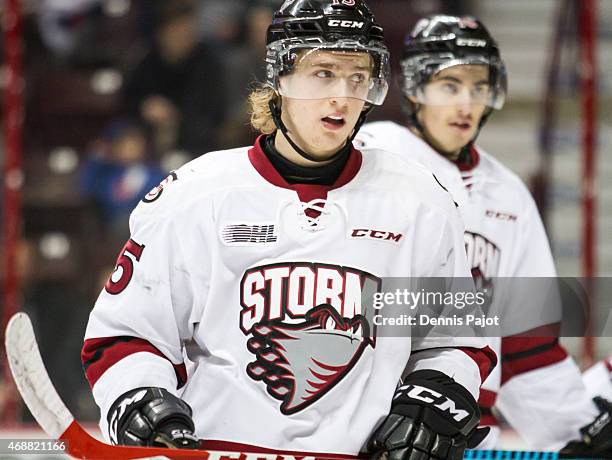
[(326, 73)]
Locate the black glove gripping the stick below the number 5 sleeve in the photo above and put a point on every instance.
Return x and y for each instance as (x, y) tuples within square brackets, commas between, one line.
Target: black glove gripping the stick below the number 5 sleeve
[(151, 417)]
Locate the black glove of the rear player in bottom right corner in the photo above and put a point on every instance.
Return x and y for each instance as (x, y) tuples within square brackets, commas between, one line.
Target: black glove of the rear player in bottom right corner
[(596, 439)]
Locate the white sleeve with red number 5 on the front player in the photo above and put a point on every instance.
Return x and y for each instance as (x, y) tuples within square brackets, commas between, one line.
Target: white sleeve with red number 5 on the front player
[(147, 310)]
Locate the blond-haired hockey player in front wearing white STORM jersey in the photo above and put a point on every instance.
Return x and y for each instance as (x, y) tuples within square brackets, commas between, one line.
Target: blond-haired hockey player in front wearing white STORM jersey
[(259, 265)]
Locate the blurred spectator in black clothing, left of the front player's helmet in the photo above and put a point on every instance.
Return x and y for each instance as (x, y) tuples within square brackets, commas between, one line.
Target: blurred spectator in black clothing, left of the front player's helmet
[(177, 89)]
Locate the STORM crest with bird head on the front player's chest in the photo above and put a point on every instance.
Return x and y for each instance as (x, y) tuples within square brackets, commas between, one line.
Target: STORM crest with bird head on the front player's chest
[(308, 325)]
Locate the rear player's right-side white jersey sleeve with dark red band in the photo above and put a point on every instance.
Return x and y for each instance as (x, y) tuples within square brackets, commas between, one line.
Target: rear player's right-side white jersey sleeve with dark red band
[(542, 394)]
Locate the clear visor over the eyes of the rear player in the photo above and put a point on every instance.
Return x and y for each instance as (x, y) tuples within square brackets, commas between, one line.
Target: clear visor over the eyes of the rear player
[(463, 82)]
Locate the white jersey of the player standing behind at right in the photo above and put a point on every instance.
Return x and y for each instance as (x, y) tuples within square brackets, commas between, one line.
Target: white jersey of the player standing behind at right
[(538, 388)]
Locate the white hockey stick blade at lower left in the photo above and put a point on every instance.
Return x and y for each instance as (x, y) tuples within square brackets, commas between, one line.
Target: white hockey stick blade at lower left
[(32, 379)]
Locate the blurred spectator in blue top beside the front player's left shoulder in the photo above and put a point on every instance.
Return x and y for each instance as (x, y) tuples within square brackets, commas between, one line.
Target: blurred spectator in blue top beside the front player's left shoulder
[(118, 173)]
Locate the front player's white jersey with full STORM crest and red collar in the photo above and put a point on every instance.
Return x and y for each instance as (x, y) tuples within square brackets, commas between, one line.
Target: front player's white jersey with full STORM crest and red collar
[(267, 288)]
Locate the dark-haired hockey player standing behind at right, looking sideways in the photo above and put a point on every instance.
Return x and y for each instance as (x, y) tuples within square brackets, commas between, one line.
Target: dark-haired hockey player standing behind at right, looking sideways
[(453, 78)]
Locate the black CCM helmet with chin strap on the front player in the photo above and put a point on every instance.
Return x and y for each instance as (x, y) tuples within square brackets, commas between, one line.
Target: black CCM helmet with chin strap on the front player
[(302, 27)]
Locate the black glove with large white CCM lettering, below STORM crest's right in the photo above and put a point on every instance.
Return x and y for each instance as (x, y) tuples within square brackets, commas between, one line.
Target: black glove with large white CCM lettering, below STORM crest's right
[(432, 417)]
